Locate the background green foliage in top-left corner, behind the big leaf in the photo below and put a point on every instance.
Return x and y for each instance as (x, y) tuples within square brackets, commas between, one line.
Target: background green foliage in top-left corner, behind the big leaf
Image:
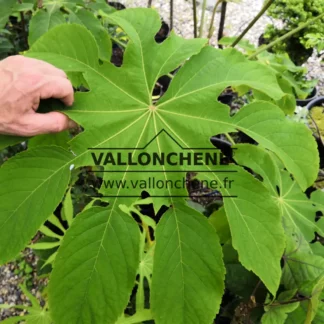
[(30, 19)]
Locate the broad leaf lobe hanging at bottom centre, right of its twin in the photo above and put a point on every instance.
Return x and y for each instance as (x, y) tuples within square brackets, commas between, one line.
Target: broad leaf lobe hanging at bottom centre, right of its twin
[(188, 271)]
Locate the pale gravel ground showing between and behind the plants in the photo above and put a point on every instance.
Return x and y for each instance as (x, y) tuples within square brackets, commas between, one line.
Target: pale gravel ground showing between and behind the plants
[(240, 15)]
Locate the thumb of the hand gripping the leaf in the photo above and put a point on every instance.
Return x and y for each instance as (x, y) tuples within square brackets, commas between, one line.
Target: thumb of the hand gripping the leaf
[(52, 122)]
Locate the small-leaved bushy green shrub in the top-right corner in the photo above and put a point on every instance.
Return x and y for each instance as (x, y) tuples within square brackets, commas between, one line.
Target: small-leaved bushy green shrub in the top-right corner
[(293, 13)]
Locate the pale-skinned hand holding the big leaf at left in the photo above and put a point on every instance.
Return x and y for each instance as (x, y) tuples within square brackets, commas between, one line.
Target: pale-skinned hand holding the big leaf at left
[(23, 83)]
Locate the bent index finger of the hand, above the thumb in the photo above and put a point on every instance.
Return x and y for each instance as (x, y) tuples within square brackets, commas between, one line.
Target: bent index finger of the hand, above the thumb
[(57, 87)]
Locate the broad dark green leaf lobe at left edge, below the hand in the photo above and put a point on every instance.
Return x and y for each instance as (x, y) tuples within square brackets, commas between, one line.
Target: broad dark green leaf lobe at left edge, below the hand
[(31, 186)]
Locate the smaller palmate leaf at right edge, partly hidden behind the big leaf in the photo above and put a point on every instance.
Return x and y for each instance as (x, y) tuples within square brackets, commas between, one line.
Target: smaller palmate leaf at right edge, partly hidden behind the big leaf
[(298, 215)]
